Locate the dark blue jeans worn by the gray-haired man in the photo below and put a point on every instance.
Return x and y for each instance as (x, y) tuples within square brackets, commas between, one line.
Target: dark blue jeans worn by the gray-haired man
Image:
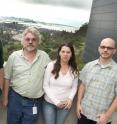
[(20, 109)]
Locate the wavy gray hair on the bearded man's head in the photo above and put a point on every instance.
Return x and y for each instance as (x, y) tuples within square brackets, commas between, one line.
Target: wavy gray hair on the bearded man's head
[(34, 31)]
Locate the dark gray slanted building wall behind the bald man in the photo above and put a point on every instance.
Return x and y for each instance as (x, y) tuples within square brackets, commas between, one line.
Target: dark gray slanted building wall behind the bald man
[(102, 23)]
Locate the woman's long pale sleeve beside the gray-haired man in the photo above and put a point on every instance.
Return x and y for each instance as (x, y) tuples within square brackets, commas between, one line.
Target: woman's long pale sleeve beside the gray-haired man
[(46, 84)]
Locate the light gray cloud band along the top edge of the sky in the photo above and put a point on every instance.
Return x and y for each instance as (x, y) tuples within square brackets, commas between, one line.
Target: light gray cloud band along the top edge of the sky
[(85, 4)]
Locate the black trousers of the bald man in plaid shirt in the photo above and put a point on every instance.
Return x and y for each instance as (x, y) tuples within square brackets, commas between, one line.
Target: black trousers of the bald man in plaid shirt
[(85, 120)]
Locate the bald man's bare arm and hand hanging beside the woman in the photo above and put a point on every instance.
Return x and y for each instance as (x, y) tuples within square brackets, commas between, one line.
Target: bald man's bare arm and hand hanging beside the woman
[(81, 92)]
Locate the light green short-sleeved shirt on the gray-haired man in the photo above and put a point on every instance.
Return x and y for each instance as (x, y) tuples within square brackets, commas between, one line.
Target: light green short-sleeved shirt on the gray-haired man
[(26, 78)]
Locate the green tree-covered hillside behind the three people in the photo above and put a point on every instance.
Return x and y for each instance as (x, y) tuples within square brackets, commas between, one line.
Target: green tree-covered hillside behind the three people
[(51, 40)]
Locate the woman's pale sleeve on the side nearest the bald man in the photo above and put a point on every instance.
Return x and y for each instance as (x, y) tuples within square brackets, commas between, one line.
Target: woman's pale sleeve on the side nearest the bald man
[(74, 88)]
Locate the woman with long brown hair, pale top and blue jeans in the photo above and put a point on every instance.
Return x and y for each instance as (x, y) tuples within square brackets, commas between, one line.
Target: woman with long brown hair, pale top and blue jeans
[(60, 85)]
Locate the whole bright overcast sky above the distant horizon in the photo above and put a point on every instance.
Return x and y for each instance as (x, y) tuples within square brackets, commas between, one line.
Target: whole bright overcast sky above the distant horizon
[(69, 12)]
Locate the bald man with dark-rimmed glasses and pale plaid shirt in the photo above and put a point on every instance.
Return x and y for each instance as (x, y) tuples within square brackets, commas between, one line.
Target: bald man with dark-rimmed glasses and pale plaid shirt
[(97, 95)]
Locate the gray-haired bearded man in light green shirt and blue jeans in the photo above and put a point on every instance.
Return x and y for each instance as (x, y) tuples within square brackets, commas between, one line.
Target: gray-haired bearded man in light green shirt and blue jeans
[(24, 71)]
